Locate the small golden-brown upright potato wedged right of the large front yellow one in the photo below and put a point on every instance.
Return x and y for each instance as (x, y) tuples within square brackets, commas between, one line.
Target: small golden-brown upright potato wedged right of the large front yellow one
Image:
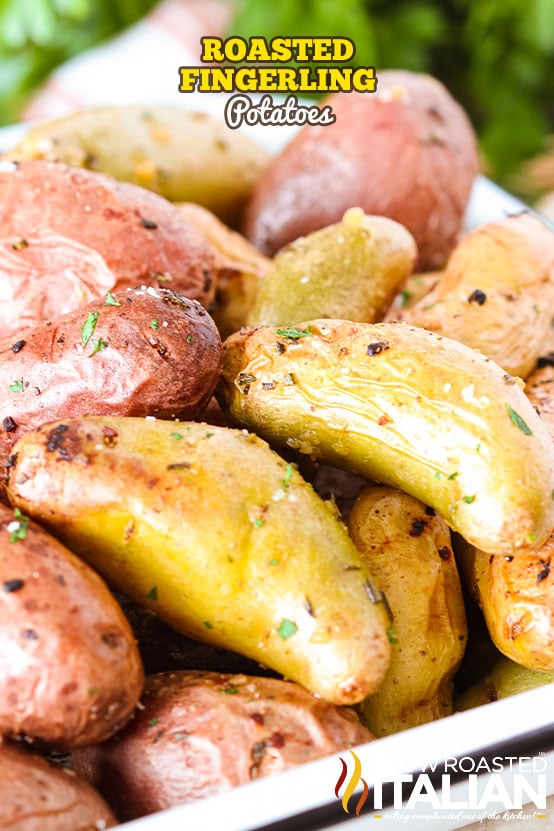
[(408, 549)]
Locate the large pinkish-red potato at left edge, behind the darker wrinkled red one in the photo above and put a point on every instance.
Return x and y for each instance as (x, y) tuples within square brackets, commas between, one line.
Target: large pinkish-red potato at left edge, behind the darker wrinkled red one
[(69, 235)]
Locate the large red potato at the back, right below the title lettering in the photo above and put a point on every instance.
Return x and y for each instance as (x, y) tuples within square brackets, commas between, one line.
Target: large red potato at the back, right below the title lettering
[(406, 151)]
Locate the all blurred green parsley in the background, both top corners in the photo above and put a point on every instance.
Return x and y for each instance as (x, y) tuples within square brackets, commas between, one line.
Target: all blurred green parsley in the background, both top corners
[(496, 56)]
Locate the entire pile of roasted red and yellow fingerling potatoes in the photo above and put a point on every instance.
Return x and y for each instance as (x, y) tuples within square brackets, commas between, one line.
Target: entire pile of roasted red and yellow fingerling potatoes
[(276, 444)]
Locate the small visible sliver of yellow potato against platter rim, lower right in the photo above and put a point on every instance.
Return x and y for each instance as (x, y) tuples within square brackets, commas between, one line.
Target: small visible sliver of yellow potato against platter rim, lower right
[(506, 678)]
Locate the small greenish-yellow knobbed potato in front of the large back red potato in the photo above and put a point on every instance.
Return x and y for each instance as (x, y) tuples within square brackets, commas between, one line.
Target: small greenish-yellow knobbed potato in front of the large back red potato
[(350, 270)]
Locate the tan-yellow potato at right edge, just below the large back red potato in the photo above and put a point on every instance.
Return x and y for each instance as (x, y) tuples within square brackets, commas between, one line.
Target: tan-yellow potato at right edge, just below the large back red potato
[(496, 293)]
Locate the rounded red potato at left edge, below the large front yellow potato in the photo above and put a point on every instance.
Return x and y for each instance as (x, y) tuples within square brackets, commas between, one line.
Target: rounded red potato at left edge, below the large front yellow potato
[(70, 671)]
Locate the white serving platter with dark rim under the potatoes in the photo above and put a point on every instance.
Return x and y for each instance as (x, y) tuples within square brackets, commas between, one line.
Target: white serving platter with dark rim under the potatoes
[(304, 799)]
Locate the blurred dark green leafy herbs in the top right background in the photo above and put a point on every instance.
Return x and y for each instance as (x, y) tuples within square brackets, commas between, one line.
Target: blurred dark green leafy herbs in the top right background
[(495, 56)]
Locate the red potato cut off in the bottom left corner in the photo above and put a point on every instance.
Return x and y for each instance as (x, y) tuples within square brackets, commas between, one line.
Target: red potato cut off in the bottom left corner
[(37, 795)]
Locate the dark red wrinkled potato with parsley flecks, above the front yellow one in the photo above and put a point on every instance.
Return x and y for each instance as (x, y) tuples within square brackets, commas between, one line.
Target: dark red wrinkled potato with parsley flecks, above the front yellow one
[(145, 368)]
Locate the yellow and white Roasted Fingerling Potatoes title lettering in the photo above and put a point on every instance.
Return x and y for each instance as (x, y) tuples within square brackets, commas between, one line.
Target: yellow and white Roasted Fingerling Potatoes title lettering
[(256, 65)]
